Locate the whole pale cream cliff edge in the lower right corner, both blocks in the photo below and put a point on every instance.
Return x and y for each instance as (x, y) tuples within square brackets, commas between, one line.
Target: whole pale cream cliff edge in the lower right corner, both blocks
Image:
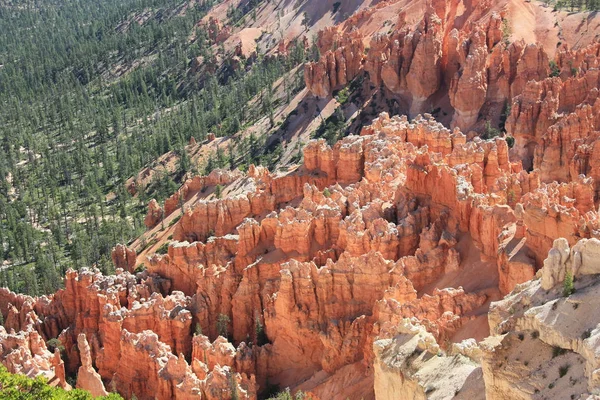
[(543, 342)]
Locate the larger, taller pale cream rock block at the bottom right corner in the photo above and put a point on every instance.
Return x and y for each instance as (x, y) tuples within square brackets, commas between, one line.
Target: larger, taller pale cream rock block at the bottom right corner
[(546, 330)]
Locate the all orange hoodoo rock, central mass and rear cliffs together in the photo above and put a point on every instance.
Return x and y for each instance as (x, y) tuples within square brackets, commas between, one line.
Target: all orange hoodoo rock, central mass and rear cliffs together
[(405, 232)]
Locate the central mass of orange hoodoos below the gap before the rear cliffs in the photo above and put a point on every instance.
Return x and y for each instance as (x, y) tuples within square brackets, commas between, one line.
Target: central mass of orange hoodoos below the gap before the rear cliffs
[(300, 279)]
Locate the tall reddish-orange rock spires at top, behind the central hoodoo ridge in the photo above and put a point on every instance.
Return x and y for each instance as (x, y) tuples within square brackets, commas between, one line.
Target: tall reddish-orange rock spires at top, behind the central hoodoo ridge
[(464, 58)]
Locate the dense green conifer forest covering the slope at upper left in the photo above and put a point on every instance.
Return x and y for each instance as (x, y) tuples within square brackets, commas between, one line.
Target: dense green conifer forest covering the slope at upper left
[(91, 93)]
